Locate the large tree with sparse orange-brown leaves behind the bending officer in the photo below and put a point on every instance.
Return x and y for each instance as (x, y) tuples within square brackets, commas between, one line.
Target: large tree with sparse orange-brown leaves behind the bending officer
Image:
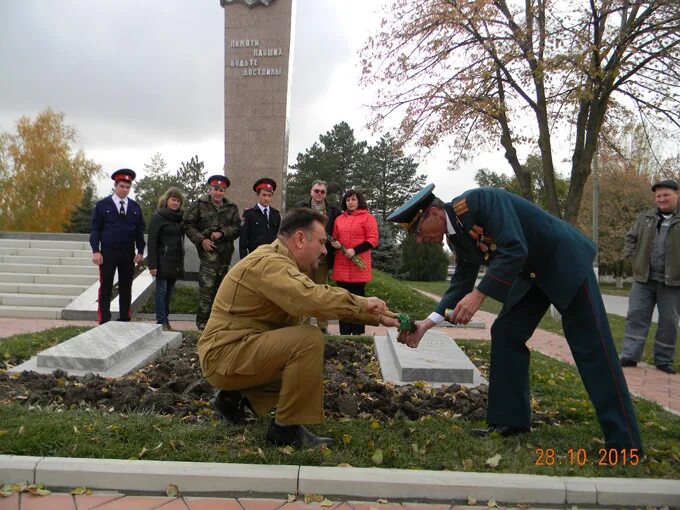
[(512, 73)]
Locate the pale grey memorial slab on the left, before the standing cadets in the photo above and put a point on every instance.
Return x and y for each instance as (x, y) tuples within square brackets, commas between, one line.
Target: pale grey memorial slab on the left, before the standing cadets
[(110, 350)]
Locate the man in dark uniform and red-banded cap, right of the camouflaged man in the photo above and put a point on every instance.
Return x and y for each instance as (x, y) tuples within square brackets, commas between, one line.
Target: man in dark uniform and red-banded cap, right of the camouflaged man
[(261, 222)]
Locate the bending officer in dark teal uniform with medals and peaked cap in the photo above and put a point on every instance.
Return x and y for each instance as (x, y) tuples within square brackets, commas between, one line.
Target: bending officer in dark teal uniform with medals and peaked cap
[(534, 259)]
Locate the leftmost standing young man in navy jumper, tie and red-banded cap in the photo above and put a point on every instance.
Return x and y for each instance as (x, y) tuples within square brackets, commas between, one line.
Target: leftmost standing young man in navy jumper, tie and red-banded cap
[(117, 226)]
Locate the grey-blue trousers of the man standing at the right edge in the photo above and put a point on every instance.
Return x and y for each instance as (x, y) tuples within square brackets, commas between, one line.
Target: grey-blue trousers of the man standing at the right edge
[(641, 301)]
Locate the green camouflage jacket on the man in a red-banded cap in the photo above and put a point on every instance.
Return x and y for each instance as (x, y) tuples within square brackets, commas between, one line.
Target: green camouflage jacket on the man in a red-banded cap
[(202, 218)]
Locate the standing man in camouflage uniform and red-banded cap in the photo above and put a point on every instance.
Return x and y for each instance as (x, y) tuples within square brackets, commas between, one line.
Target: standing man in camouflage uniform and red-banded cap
[(212, 223)]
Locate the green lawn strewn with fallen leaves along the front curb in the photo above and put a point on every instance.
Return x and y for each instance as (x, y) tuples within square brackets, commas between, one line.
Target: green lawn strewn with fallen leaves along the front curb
[(436, 442)]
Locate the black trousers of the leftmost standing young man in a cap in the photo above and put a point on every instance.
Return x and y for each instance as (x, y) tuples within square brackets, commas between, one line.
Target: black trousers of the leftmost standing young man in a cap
[(123, 260)]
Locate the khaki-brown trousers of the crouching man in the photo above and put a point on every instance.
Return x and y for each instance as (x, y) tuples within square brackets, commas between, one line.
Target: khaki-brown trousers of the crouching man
[(282, 368)]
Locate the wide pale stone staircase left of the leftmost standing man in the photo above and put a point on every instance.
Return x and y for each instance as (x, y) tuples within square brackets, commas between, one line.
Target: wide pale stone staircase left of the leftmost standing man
[(40, 276)]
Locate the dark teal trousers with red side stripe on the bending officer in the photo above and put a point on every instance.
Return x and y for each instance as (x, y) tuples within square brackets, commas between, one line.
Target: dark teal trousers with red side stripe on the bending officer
[(587, 332)]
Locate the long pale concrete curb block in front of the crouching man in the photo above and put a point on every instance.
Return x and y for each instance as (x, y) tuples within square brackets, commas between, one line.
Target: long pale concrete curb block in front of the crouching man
[(154, 476)]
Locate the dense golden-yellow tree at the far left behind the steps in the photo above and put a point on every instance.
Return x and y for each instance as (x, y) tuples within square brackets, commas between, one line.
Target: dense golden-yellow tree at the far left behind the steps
[(42, 178)]
